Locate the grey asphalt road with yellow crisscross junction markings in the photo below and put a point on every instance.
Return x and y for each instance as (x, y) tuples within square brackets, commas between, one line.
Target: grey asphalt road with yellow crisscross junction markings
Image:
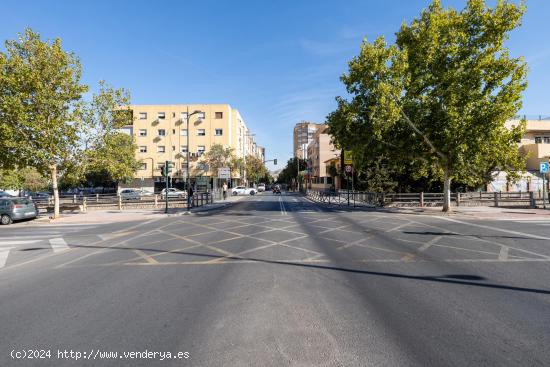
[(277, 281)]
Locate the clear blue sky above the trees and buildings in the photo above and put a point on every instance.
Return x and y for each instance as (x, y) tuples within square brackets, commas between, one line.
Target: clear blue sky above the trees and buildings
[(278, 62)]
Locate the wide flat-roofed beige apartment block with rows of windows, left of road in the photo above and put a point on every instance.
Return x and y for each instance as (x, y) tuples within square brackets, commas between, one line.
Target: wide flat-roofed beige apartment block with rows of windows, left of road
[(161, 133)]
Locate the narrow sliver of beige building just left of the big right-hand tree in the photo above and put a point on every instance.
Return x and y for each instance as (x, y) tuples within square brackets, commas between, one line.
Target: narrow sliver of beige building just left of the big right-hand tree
[(319, 151)]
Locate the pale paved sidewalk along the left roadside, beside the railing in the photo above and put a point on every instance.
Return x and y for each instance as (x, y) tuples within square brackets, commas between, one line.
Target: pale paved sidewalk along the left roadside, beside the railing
[(109, 216)]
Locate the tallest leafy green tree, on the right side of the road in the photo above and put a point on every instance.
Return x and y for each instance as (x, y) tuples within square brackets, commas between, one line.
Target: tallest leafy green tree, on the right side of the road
[(436, 102)]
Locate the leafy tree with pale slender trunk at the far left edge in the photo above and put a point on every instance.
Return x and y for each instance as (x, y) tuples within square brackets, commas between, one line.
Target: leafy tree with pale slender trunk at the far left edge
[(39, 90)]
